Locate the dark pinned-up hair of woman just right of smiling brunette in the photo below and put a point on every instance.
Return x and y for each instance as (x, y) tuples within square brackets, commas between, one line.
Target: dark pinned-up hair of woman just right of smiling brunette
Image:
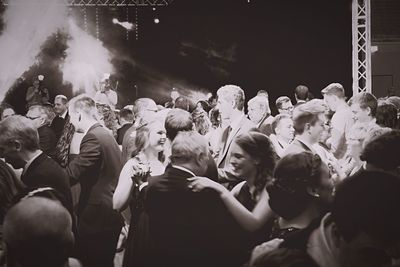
[(293, 174)]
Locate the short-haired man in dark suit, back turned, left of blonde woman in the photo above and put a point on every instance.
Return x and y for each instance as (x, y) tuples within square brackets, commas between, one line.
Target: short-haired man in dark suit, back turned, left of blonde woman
[(97, 169)]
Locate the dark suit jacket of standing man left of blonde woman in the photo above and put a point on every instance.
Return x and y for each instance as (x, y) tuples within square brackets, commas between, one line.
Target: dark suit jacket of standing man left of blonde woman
[(97, 169)]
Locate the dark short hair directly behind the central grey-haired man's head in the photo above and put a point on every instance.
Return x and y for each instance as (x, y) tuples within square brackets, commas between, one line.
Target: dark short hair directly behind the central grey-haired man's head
[(177, 120)]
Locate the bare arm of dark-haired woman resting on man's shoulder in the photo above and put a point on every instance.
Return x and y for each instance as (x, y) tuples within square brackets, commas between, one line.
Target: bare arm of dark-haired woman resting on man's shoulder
[(249, 220)]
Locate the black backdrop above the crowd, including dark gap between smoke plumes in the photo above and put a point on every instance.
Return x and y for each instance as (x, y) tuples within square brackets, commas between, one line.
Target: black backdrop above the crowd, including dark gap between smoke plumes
[(272, 45)]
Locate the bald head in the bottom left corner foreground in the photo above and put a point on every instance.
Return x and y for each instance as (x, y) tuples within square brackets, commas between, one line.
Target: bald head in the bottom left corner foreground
[(38, 232)]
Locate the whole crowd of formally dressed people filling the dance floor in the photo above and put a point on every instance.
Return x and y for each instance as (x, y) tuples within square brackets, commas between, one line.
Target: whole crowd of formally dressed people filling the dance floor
[(210, 185)]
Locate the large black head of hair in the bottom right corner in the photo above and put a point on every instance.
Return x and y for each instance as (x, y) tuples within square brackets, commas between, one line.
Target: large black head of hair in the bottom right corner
[(368, 202)]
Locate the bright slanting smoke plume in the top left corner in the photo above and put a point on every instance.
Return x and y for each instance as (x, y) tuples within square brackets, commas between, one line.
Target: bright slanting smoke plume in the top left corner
[(28, 24)]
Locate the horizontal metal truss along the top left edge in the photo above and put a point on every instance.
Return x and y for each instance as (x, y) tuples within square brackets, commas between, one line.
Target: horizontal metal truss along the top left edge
[(99, 2)]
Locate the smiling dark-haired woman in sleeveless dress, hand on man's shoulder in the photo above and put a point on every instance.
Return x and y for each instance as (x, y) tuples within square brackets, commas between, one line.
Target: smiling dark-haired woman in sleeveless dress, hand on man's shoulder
[(253, 160)]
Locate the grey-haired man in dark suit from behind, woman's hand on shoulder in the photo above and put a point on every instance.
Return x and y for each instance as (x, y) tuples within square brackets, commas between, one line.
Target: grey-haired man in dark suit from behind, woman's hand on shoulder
[(181, 230)]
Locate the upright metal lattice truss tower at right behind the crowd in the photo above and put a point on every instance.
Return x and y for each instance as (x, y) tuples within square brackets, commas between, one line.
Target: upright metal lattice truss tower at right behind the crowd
[(361, 14)]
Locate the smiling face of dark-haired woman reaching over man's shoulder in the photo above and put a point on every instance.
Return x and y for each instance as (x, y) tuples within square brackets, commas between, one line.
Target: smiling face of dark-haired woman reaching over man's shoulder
[(243, 165)]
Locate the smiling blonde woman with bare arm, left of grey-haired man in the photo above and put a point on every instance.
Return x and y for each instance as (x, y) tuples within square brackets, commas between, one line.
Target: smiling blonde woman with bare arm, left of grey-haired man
[(147, 160)]
